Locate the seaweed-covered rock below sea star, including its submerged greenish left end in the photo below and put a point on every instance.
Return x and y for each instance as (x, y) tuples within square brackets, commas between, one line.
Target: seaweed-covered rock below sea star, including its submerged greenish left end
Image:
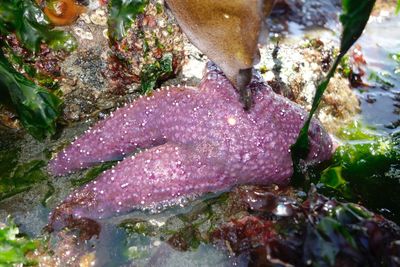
[(264, 226)]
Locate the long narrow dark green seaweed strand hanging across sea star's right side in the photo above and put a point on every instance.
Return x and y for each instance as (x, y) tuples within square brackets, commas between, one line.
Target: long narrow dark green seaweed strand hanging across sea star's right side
[(354, 17)]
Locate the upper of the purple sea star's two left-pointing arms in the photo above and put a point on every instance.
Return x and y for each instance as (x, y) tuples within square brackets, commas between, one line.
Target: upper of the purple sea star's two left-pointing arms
[(137, 125)]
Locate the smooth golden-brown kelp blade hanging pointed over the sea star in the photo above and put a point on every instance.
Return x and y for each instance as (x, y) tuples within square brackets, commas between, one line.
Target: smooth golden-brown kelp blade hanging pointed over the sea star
[(227, 31)]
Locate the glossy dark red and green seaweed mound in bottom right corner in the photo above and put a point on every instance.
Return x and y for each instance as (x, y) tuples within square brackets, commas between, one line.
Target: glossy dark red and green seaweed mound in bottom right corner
[(317, 231)]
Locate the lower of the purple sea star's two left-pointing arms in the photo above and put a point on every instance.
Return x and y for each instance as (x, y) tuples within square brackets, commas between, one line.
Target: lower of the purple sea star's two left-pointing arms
[(157, 175)]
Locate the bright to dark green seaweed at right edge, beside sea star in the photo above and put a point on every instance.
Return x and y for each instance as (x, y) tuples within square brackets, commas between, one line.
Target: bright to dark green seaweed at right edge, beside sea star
[(361, 171)]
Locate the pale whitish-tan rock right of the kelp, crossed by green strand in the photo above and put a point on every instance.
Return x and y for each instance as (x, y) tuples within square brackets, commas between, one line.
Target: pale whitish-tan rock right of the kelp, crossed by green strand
[(296, 70)]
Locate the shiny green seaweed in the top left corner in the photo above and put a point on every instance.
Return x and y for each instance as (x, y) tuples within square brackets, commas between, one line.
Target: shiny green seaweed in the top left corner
[(28, 22)]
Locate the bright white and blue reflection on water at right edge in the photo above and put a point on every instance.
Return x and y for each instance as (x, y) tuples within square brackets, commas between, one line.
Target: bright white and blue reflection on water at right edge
[(380, 102)]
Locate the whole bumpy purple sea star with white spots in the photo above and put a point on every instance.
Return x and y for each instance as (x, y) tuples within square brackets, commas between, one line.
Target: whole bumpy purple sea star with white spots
[(196, 139)]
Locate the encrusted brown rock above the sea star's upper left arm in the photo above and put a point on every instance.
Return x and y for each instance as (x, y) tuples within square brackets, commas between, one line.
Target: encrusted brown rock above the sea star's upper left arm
[(100, 76)]
